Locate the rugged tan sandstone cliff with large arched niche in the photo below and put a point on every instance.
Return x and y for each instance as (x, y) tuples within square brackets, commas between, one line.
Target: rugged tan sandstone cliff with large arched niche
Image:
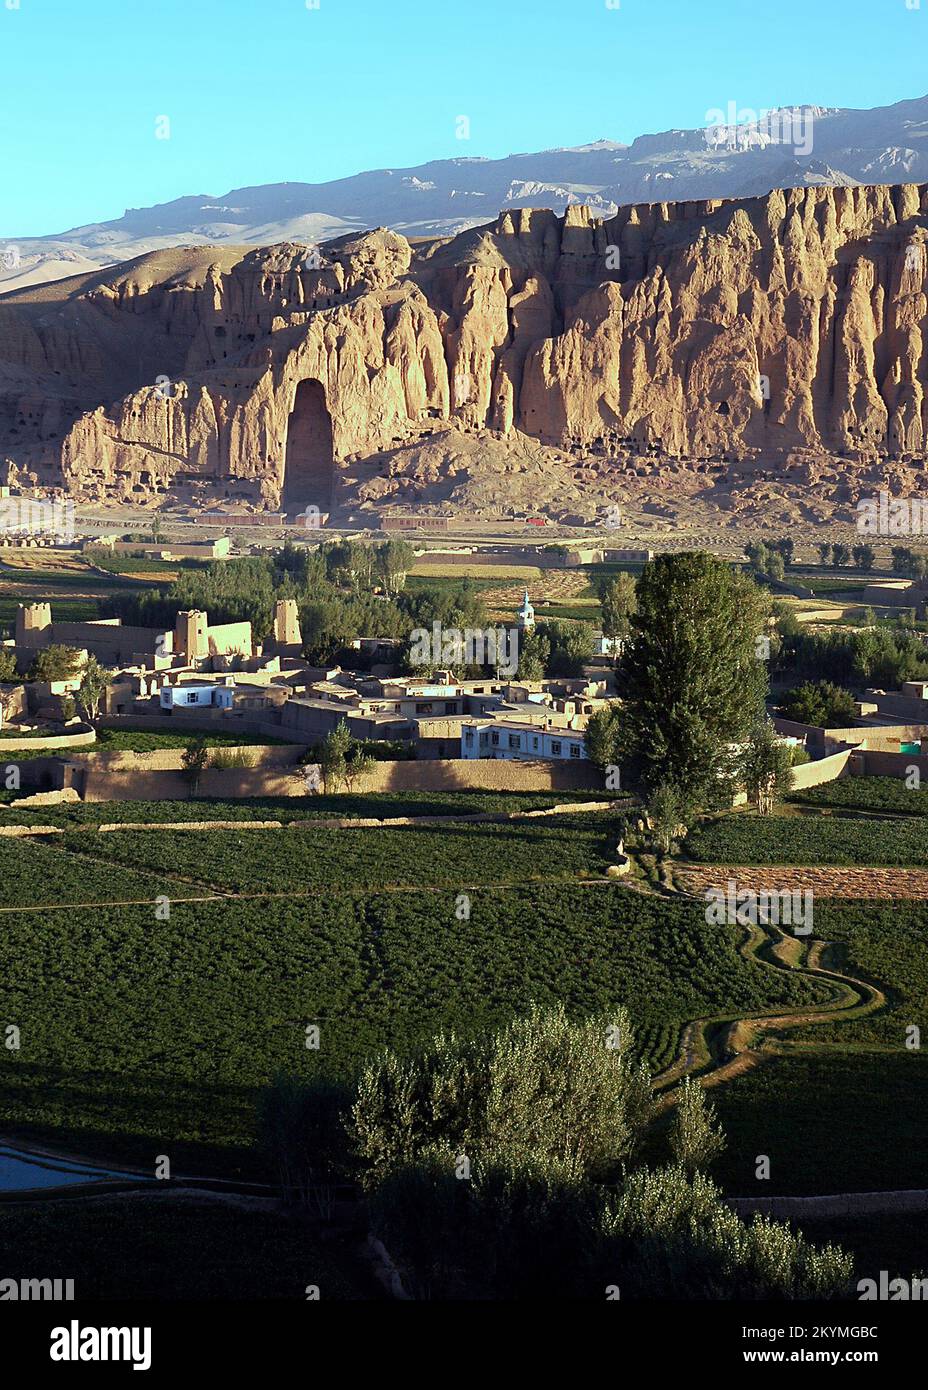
[(779, 333)]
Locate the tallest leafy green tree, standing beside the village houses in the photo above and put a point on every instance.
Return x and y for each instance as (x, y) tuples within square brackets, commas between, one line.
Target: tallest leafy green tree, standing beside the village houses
[(691, 679)]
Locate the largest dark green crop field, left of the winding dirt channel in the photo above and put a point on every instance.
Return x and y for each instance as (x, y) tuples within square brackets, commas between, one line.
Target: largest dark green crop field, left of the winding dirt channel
[(137, 1033)]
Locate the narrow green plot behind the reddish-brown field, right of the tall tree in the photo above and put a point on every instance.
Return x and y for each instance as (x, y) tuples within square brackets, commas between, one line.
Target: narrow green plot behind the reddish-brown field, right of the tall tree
[(808, 840)]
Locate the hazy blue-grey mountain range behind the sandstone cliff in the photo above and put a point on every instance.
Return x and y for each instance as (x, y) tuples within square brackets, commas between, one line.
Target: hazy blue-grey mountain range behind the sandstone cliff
[(734, 158)]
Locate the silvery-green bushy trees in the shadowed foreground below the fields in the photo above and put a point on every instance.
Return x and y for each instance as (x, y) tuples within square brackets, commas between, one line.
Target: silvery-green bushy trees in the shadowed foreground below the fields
[(513, 1161)]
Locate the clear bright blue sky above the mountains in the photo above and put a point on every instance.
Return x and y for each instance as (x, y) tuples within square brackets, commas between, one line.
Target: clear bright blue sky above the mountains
[(267, 91)]
